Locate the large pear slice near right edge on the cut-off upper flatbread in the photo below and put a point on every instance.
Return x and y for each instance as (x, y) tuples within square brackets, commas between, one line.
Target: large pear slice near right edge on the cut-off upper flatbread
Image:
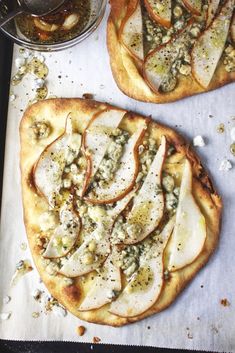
[(209, 47)]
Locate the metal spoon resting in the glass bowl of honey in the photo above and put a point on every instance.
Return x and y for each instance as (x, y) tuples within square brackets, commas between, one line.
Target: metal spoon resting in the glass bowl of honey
[(32, 7)]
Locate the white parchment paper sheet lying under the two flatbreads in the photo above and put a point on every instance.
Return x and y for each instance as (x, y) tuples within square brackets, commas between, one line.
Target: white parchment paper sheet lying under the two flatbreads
[(196, 320)]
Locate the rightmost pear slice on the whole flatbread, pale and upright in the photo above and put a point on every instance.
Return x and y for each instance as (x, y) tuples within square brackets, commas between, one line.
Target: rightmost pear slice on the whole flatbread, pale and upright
[(189, 234)]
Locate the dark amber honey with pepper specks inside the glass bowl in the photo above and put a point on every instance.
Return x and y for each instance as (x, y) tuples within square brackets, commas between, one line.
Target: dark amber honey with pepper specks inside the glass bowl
[(64, 24)]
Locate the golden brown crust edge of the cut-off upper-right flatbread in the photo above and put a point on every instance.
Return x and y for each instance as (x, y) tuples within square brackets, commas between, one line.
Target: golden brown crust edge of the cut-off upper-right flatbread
[(127, 73)]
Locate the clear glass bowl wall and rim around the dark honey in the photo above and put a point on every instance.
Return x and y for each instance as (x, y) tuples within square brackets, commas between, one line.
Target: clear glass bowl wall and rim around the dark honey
[(12, 32)]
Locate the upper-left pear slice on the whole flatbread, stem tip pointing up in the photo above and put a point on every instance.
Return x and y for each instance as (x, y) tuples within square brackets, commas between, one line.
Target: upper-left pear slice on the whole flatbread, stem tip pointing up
[(49, 169)]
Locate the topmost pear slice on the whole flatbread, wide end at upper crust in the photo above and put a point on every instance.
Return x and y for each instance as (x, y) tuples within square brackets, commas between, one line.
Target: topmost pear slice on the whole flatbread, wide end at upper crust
[(96, 140)]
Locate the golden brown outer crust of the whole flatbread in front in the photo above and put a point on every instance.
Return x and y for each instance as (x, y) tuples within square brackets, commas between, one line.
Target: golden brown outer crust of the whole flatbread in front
[(55, 111)]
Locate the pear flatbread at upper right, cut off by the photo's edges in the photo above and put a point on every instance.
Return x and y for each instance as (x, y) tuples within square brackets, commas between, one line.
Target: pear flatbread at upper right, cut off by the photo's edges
[(162, 51)]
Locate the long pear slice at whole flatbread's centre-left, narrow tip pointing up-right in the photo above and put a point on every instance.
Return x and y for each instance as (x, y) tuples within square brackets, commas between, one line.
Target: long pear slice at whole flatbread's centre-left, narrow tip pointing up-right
[(77, 265)]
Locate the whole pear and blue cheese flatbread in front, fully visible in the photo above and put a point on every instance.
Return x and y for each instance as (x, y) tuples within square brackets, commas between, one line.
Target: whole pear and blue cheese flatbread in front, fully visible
[(119, 212)]
